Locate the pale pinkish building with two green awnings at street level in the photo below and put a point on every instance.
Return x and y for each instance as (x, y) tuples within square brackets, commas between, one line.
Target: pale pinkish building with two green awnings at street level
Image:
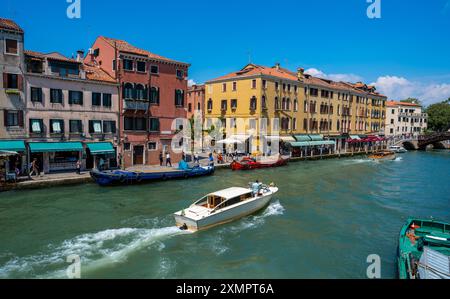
[(72, 112)]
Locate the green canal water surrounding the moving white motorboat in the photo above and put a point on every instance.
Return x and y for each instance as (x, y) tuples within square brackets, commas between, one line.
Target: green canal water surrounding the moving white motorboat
[(327, 218)]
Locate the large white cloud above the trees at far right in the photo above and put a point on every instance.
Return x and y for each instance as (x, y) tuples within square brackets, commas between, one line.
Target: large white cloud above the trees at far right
[(399, 88)]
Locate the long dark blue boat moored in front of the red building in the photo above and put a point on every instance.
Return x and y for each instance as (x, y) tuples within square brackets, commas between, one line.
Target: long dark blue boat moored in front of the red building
[(124, 177)]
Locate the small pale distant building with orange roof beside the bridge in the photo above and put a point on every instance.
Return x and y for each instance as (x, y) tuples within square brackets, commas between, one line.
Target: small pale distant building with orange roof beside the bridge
[(405, 119)]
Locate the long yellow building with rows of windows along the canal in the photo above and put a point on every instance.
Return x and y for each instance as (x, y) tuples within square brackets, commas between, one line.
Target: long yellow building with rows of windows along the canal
[(257, 101)]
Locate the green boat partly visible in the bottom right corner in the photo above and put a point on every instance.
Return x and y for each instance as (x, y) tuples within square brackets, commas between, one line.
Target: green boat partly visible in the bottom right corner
[(424, 250)]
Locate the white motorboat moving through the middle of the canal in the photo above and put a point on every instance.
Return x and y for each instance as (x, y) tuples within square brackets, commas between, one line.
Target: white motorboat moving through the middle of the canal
[(224, 206)]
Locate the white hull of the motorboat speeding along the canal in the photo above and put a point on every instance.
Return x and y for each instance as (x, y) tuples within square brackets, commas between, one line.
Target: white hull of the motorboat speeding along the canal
[(225, 216)]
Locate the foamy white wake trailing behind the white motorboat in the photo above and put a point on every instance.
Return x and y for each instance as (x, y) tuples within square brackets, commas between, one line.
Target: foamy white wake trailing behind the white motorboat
[(96, 250)]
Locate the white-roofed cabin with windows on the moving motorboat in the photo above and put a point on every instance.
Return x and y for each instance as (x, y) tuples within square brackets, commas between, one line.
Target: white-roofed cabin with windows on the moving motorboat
[(225, 198)]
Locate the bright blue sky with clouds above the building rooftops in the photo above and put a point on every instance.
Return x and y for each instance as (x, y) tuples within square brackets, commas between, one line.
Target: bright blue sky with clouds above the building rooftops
[(406, 52)]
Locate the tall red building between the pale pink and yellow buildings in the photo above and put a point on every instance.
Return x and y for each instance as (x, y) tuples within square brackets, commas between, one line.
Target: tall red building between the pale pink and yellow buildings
[(152, 97)]
